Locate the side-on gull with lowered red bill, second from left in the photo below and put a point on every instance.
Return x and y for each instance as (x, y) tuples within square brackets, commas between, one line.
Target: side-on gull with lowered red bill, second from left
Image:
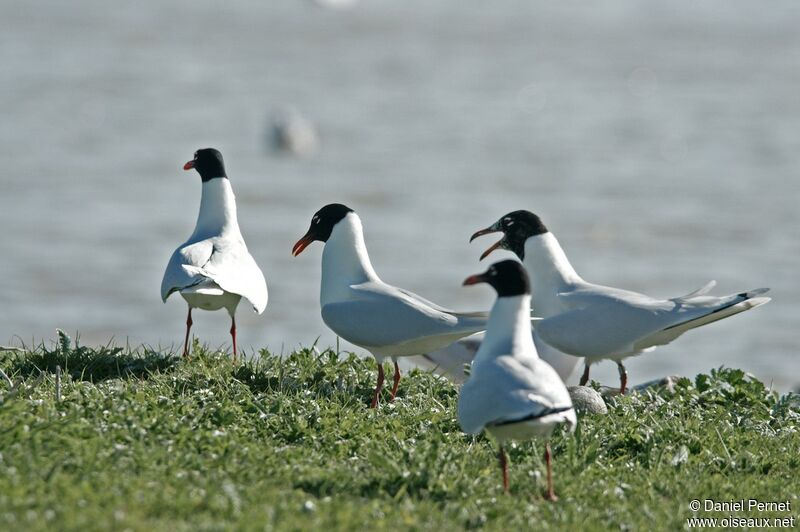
[(385, 320)]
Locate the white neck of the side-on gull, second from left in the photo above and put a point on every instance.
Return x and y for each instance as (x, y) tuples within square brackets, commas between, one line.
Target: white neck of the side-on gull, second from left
[(345, 260)]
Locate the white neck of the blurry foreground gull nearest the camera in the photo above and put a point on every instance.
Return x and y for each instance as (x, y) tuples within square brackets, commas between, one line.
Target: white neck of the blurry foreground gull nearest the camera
[(509, 328)]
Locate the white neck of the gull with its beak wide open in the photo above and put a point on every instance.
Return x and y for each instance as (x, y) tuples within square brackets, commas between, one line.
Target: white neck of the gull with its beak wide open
[(550, 272)]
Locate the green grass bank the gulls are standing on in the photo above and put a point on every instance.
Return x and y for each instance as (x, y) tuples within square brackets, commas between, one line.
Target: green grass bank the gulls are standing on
[(144, 440)]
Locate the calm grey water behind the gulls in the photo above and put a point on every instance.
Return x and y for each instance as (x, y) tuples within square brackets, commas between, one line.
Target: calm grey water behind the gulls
[(660, 143)]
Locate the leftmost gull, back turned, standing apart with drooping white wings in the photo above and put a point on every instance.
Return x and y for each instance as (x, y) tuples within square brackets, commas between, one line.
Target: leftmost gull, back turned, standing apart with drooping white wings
[(213, 269)]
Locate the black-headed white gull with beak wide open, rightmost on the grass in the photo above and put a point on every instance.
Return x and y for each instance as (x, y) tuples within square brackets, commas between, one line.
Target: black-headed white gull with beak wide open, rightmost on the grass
[(600, 322)]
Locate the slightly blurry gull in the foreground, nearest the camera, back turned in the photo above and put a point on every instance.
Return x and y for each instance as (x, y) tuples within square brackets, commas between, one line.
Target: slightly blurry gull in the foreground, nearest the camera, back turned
[(512, 393)]
